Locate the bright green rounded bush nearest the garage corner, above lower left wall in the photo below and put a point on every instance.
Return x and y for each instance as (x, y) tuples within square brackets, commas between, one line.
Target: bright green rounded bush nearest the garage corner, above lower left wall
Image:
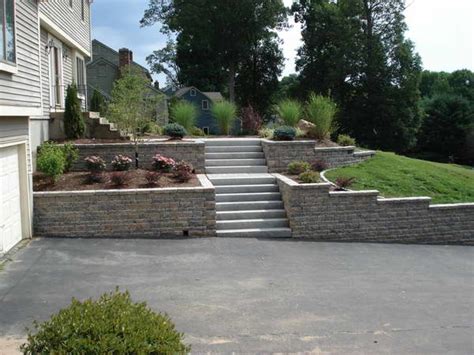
[(51, 161)]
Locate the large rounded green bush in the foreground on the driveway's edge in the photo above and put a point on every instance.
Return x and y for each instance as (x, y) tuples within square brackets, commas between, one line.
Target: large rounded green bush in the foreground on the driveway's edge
[(113, 324)]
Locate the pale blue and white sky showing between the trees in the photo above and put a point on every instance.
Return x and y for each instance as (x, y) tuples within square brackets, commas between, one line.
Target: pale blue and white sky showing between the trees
[(442, 30)]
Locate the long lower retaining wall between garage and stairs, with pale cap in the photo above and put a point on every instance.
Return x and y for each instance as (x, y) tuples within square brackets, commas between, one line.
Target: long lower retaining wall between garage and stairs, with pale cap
[(137, 213)]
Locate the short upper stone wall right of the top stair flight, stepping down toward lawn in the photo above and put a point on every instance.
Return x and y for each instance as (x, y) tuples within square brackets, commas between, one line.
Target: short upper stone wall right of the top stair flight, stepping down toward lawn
[(280, 153)]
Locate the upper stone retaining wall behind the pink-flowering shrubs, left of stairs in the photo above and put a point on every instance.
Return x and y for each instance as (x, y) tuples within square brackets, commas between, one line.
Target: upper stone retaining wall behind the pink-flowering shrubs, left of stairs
[(191, 151)]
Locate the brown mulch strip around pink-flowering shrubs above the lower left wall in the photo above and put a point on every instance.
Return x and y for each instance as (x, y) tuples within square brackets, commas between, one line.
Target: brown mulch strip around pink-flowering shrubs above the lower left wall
[(78, 181)]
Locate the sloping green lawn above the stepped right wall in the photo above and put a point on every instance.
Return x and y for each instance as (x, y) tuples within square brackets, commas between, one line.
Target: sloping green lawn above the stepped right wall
[(397, 176)]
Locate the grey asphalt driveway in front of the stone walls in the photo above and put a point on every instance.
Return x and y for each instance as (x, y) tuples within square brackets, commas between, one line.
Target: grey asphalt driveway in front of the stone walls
[(248, 295)]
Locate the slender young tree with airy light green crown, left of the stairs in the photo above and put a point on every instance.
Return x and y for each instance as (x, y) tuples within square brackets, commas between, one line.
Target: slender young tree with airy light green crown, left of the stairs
[(133, 105)]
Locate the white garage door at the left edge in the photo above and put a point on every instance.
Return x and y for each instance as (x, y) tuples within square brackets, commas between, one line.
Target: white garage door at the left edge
[(10, 207)]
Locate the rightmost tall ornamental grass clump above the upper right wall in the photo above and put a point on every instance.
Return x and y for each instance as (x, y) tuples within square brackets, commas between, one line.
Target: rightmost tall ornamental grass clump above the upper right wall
[(320, 111)]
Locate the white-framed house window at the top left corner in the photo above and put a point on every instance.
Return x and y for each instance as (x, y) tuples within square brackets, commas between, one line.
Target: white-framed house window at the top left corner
[(7, 31)]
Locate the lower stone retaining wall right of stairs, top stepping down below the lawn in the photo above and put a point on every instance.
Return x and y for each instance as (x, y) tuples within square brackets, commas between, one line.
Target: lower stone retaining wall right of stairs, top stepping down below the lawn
[(316, 213)]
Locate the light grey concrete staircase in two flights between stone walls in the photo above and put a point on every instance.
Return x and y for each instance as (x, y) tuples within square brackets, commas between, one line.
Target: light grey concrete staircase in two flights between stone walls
[(248, 199)]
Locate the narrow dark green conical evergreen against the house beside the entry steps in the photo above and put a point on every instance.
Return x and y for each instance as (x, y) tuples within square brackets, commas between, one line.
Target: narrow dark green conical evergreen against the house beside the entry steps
[(74, 126)]
